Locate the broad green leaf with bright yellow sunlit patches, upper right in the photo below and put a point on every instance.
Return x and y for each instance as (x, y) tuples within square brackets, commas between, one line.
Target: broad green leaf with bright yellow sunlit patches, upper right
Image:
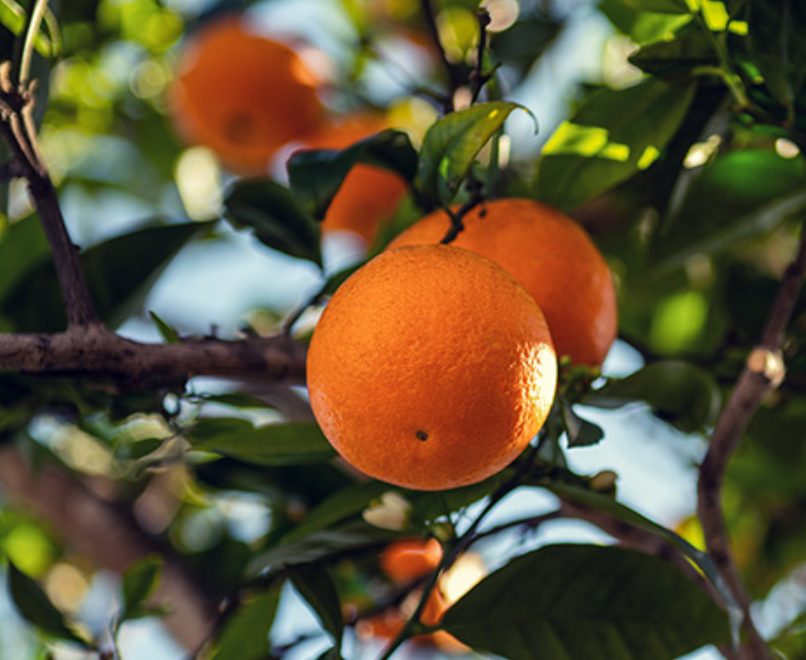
[(613, 135)]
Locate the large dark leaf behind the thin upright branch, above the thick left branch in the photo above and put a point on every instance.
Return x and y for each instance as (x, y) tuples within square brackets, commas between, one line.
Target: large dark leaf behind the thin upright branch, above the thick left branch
[(119, 273)]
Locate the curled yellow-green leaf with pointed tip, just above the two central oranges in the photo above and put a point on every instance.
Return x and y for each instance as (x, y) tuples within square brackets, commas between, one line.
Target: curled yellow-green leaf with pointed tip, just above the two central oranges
[(451, 145)]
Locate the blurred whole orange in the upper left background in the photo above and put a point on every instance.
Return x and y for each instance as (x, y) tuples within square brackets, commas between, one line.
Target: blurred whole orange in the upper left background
[(242, 95)]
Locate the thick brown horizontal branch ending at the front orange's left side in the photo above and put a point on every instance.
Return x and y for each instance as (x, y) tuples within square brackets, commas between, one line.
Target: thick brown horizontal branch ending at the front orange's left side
[(93, 352)]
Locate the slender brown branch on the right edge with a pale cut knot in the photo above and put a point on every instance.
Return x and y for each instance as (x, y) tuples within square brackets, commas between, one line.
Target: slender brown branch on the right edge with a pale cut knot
[(762, 373)]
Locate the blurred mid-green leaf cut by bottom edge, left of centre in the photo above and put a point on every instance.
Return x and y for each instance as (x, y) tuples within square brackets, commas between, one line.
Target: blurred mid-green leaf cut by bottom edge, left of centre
[(246, 633)]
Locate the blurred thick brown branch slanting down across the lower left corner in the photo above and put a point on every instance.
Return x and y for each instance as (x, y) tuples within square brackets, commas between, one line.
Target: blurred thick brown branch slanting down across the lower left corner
[(97, 530)]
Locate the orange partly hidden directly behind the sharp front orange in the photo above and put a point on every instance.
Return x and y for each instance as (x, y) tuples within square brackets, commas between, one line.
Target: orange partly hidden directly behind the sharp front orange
[(552, 257)]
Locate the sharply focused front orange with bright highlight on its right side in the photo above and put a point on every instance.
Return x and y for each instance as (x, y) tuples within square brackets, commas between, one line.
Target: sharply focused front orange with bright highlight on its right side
[(431, 368)]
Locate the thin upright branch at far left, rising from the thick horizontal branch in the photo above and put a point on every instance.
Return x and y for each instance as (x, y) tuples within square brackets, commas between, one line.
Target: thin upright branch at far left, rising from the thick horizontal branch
[(17, 129)]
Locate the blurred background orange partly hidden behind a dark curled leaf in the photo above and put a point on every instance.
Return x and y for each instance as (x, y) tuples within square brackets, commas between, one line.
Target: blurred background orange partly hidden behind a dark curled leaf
[(369, 195)]
